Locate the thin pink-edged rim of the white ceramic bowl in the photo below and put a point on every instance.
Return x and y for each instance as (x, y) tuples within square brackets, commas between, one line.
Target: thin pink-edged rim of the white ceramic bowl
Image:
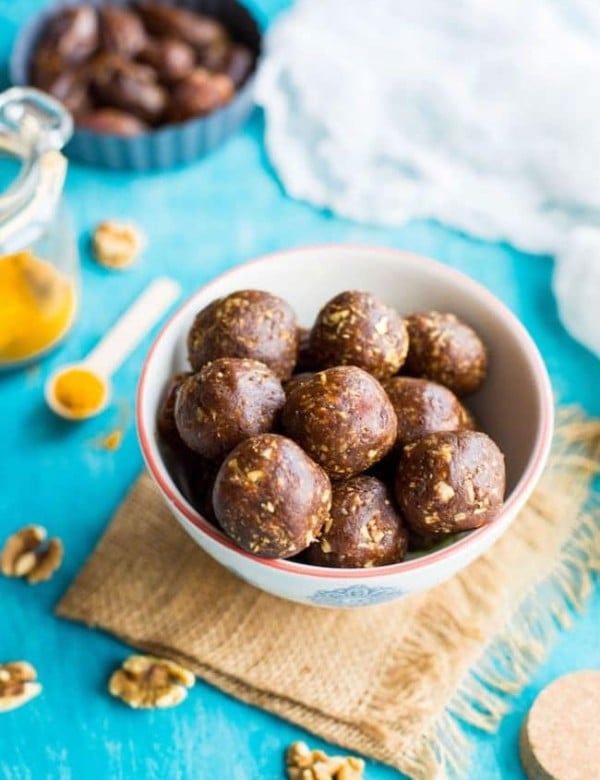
[(518, 496)]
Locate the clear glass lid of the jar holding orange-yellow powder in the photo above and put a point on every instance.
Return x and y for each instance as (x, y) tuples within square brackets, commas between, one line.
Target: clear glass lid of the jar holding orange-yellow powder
[(33, 128)]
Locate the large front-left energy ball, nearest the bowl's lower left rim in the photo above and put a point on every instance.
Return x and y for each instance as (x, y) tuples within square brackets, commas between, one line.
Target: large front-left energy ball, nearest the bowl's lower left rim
[(270, 497)]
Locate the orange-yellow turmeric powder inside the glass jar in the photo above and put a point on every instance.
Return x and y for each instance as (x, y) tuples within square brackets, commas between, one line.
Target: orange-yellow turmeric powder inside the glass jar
[(37, 306)]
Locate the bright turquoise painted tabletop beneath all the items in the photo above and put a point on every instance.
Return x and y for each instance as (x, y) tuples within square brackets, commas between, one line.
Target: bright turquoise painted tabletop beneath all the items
[(199, 222)]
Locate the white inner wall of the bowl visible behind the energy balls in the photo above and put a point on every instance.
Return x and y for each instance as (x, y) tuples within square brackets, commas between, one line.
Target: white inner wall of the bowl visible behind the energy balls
[(510, 404)]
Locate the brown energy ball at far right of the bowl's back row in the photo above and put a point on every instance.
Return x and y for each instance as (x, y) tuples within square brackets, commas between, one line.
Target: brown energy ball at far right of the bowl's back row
[(446, 350)]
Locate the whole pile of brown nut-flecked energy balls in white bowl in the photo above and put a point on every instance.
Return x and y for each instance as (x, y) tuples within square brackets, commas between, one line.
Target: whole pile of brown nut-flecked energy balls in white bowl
[(344, 445)]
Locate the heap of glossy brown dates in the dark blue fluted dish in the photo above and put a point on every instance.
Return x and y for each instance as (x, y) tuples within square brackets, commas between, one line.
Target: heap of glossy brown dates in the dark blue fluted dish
[(127, 69)]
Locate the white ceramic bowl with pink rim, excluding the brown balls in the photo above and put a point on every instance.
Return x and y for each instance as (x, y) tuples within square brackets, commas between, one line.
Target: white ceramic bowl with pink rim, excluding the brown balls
[(514, 407)]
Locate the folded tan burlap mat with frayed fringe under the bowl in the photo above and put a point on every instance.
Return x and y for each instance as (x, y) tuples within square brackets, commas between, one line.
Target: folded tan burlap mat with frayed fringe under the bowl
[(393, 682)]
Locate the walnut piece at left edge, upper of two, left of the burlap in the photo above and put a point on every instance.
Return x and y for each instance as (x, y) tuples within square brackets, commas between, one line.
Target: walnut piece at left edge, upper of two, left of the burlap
[(27, 555)]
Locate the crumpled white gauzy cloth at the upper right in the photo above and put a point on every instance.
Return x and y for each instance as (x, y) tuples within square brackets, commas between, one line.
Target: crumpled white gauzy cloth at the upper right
[(483, 115)]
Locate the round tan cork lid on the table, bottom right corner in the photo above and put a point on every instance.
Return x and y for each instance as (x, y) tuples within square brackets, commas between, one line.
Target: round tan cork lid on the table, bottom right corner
[(560, 739)]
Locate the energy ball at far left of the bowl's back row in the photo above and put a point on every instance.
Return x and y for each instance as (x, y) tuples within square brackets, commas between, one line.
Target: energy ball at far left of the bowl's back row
[(246, 324)]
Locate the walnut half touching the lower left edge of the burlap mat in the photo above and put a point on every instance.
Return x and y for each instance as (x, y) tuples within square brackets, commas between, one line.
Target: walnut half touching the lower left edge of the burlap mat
[(147, 682)]
